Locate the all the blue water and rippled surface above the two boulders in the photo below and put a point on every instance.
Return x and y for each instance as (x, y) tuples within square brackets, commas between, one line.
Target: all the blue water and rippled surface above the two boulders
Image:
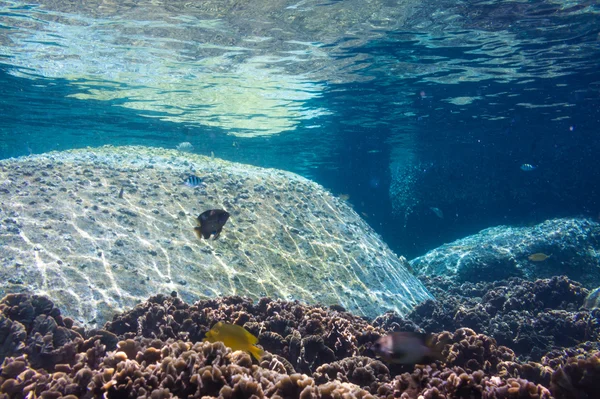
[(404, 110)]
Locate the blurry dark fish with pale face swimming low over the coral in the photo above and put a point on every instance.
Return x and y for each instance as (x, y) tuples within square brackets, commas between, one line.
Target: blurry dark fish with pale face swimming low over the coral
[(408, 348)]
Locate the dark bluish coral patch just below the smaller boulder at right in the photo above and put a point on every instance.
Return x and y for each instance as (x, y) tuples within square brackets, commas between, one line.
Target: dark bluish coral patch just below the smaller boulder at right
[(530, 317)]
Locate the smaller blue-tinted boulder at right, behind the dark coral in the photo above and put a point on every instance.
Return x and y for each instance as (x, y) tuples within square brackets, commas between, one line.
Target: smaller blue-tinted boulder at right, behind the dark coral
[(568, 246)]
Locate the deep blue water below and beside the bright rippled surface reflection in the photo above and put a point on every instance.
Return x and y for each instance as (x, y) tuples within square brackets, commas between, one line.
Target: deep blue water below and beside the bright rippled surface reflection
[(464, 159)]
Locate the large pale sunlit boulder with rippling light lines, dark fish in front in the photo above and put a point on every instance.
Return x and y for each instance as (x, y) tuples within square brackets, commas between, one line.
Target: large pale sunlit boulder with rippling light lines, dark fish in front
[(99, 230)]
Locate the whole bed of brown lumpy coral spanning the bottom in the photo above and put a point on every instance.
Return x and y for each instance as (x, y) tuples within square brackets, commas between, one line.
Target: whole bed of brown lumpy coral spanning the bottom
[(156, 350)]
